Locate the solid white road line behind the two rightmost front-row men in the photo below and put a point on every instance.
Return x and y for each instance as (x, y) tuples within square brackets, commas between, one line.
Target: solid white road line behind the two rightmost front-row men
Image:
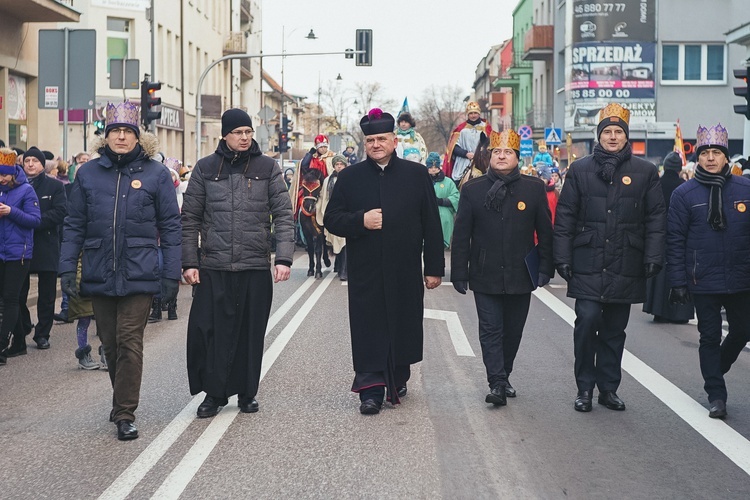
[(728, 441)]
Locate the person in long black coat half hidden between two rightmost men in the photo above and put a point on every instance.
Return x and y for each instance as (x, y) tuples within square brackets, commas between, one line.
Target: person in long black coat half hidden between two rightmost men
[(657, 288)]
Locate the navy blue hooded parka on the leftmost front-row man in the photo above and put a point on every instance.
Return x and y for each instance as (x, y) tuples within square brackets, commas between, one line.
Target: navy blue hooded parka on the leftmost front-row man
[(117, 217)]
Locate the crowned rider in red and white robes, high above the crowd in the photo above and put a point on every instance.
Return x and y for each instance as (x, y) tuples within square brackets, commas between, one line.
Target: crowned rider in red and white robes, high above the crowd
[(463, 142)]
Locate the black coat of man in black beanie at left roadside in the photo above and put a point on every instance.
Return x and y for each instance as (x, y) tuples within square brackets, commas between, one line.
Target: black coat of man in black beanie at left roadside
[(52, 204)]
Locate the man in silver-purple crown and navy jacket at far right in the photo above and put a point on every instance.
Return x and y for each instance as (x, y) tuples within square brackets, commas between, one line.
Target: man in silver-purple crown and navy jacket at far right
[(707, 230)]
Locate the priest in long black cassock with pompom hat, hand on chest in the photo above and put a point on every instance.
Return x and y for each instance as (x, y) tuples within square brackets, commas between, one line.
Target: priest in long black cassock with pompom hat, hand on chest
[(386, 209)]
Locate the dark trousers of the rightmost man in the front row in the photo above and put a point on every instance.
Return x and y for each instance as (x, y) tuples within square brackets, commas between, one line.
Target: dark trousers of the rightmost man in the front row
[(716, 357)]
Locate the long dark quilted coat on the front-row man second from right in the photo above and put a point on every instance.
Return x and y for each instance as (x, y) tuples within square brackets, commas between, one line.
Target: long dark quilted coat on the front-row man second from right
[(607, 232)]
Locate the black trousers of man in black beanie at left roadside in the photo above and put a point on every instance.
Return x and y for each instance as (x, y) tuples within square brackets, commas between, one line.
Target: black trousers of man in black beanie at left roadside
[(45, 308)]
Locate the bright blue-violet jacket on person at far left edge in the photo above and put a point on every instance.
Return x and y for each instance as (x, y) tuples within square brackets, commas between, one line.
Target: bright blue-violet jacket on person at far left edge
[(17, 228)]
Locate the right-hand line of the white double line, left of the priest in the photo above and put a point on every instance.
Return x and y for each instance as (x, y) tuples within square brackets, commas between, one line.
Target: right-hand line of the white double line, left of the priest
[(180, 477)]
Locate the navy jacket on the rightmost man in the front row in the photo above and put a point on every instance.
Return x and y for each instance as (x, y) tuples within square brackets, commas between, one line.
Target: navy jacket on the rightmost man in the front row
[(704, 260)]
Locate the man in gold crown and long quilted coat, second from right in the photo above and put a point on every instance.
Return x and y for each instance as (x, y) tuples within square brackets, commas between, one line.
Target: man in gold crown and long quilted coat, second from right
[(609, 237)]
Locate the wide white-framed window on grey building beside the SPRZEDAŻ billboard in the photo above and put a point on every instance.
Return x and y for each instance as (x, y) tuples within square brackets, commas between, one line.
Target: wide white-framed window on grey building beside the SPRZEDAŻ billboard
[(693, 64)]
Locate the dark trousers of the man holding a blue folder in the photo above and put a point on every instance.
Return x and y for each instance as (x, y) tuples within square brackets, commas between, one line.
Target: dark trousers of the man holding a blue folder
[(501, 322)]
